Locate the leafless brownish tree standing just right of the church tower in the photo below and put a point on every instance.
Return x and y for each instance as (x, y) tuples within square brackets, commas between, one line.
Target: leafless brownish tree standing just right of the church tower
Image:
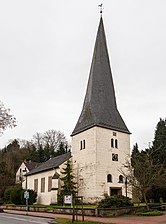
[(144, 174)]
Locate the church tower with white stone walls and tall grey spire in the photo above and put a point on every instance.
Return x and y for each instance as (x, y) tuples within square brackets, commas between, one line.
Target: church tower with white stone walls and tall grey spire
[(100, 140)]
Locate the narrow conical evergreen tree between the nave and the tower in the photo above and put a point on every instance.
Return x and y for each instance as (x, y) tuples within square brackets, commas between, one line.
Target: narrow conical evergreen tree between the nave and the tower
[(69, 186)]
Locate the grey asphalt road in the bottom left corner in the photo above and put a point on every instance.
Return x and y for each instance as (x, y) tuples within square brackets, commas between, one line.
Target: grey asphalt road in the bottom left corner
[(21, 219)]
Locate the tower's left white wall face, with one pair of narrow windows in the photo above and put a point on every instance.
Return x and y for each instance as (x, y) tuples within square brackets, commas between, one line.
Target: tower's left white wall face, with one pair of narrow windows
[(84, 163)]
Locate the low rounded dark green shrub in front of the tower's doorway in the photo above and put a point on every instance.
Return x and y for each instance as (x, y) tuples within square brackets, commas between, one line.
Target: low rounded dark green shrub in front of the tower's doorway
[(115, 201)]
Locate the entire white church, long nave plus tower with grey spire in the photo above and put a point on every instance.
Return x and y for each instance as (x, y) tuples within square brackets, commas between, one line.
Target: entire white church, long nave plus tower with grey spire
[(100, 141)]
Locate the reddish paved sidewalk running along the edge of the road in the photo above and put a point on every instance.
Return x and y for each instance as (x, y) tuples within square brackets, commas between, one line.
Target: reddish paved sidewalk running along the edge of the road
[(117, 220)]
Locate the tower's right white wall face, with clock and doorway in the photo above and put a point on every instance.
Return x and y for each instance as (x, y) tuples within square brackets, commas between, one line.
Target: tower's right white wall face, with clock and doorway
[(104, 162)]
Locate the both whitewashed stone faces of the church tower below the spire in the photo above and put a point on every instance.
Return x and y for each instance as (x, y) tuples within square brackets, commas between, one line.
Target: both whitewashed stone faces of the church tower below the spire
[(94, 163)]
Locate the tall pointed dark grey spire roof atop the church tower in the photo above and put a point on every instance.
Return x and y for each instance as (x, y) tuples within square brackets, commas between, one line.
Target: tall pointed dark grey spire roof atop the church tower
[(99, 108)]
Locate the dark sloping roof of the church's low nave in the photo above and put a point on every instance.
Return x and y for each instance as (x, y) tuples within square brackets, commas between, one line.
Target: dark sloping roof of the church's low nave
[(51, 164)]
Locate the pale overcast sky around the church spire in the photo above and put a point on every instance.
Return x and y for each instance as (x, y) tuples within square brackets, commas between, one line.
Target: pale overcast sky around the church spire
[(46, 48)]
